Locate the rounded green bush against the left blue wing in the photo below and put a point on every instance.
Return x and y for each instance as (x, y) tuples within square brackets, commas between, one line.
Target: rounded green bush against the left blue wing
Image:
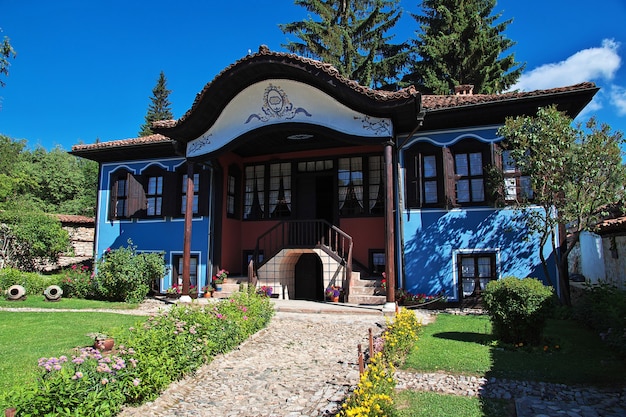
[(125, 275)]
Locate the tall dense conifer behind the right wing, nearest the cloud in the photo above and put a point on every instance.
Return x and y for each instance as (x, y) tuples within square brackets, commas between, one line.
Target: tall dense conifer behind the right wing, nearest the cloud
[(461, 42)]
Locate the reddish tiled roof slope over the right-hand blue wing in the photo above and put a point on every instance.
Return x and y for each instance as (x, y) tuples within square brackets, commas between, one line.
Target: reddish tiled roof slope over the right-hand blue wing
[(436, 102)]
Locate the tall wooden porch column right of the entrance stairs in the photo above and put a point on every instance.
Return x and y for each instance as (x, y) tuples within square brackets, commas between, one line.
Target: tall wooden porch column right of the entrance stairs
[(390, 270)]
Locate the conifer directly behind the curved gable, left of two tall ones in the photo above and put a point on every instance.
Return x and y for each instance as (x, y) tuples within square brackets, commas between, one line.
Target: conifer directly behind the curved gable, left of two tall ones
[(351, 36)]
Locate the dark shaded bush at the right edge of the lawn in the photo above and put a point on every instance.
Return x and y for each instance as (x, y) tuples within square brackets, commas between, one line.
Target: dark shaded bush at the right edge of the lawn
[(603, 308)]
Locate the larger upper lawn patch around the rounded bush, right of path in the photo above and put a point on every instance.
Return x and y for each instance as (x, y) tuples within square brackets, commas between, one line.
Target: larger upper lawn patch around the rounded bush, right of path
[(465, 345)]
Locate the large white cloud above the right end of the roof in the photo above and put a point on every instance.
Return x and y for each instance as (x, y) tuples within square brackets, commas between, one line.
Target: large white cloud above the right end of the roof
[(586, 65)]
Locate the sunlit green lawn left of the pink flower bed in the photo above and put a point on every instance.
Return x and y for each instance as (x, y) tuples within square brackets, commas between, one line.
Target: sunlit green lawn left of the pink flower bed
[(27, 336)]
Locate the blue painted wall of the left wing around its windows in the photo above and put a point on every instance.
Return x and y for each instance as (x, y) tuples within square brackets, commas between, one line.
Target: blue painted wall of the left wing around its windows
[(150, 235)]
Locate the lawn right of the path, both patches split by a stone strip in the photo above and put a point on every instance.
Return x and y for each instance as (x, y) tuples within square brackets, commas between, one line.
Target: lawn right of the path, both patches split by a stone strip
[(464, 345)]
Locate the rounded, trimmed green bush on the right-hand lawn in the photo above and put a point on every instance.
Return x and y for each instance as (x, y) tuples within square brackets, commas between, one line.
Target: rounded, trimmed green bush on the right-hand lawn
[(518, 308)]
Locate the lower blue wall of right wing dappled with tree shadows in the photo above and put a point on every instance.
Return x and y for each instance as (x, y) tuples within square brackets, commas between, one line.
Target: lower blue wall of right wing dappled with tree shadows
[(431, 239)]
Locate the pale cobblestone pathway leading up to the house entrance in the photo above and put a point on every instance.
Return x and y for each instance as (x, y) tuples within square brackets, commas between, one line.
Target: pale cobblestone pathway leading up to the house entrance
[(300, 365)]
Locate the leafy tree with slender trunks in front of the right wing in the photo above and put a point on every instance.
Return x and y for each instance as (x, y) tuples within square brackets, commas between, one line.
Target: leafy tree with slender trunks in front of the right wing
[(574, 173)]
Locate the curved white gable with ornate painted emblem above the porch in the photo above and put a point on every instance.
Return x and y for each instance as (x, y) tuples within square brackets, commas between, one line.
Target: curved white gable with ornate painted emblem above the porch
[(284, 101)]
